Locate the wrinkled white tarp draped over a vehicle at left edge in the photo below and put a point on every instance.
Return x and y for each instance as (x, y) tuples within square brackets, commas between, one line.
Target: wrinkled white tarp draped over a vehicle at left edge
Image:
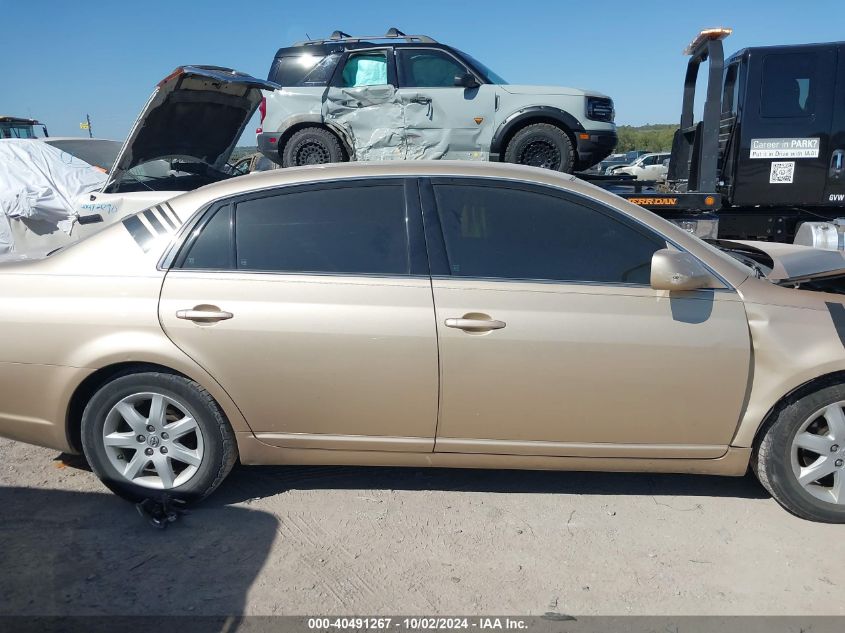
[(39, 182)]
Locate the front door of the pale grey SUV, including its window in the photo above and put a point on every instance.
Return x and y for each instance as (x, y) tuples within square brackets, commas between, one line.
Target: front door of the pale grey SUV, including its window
[(443, 120)]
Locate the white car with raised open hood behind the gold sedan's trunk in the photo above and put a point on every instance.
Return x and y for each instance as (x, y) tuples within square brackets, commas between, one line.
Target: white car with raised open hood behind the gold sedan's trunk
[(181, 140)]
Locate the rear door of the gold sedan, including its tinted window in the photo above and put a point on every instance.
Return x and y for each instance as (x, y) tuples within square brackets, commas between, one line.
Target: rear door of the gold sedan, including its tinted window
[(311, 306)]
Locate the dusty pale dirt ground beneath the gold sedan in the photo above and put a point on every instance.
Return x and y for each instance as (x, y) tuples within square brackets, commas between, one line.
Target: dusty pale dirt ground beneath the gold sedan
[(296, 540)]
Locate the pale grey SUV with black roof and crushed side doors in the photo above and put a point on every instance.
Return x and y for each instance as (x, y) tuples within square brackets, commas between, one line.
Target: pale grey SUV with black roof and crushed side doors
[(398, 96)]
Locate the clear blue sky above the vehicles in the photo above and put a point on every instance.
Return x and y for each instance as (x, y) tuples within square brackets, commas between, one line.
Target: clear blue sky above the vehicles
[(61, 60)]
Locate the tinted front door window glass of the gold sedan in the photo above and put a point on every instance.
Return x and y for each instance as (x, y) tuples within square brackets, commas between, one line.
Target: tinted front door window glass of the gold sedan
[(517, 234)]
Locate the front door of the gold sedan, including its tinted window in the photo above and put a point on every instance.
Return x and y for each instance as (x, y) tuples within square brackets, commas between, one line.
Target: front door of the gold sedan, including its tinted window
[(552, 342)]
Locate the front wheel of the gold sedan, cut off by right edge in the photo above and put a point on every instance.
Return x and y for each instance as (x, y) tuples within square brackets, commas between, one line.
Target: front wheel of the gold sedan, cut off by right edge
[(800, 458)]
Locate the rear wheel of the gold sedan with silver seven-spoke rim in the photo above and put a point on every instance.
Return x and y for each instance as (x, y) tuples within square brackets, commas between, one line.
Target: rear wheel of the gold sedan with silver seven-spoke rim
[(150, 434)]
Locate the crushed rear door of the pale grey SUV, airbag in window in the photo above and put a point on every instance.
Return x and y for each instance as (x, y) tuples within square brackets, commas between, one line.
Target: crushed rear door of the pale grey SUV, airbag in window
[(363, 101)]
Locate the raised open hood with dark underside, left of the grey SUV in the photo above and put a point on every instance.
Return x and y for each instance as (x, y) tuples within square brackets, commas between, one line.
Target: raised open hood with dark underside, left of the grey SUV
[(197, 112)]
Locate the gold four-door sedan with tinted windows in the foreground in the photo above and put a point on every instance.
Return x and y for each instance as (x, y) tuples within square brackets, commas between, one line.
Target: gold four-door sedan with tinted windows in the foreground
[(421, 314)]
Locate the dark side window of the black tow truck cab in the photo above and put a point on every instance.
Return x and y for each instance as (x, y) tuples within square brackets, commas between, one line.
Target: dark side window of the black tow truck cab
[(788, 85)]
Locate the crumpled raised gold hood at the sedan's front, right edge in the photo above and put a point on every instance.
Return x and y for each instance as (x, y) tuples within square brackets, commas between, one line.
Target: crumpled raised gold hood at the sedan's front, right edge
[(790, 263)]
